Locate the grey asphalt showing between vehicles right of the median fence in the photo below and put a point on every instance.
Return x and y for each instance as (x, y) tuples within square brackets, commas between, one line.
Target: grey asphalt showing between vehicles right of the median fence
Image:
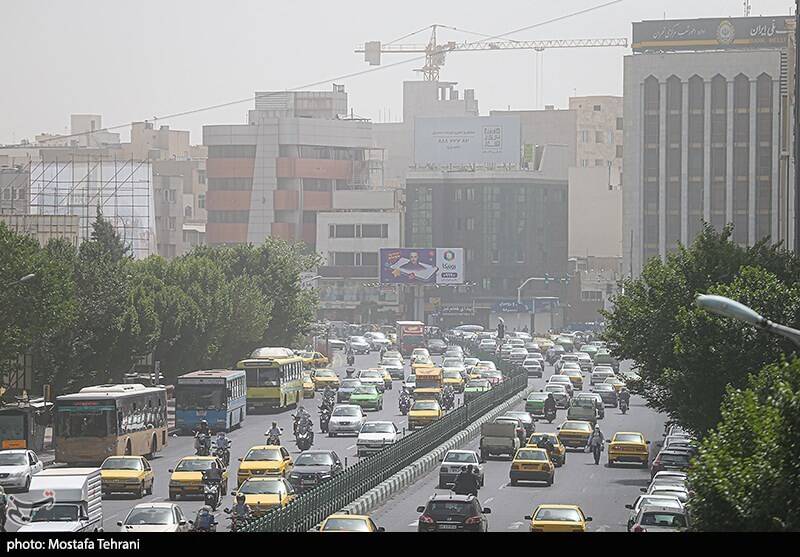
[(601, 492)]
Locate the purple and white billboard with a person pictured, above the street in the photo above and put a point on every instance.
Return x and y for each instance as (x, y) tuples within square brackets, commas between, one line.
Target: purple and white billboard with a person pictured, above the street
[(422, 266)]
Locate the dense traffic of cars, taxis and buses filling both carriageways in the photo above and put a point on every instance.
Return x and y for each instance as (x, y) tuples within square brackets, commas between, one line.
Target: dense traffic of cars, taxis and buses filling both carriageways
[(244, 441)]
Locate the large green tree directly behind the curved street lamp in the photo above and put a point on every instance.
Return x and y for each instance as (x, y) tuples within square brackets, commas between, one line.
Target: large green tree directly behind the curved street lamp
[(685, 356)]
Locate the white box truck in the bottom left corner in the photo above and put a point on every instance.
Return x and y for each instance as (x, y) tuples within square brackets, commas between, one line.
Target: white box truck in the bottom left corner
[(64, 500)]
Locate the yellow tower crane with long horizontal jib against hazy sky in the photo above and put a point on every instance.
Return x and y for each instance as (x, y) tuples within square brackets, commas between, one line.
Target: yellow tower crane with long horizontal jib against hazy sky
[(435, 52)]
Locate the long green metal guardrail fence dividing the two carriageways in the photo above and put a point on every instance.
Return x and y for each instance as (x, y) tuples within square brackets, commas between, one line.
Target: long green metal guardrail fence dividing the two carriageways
[(312, 507)]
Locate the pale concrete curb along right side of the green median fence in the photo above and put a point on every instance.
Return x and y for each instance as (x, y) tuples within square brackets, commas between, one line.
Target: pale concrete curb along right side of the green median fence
[(411, 473)]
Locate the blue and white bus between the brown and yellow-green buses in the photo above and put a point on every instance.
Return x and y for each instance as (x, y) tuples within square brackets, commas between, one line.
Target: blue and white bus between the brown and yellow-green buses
[(218, 396)]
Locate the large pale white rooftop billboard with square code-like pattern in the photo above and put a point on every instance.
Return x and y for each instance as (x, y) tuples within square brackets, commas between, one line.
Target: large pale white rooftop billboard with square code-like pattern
[(467, 140)]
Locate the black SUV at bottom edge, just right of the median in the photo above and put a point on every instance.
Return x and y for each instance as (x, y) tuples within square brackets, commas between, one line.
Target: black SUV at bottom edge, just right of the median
[(449, 512)]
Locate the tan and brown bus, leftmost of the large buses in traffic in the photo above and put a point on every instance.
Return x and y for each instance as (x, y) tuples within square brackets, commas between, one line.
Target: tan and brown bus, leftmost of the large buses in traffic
[(108, 420)]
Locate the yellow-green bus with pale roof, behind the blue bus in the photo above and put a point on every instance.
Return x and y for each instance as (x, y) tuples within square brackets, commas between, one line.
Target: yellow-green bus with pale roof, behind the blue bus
[(274, 378)]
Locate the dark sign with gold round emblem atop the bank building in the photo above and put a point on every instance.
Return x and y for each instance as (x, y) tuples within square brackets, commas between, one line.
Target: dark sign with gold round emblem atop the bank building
[(711, 33)]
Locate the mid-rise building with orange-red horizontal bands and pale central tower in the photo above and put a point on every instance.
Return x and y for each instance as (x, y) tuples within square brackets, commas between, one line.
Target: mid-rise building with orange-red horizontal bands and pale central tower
[(274, 174)]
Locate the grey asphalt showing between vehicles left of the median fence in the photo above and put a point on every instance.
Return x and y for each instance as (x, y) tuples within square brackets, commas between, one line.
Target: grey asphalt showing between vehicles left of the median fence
[(116, 507)]
